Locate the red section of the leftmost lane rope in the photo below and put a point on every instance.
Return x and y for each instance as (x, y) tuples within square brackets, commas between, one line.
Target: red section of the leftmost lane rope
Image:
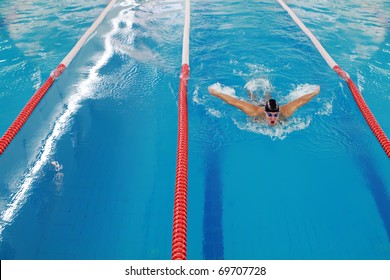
[(28, 109)]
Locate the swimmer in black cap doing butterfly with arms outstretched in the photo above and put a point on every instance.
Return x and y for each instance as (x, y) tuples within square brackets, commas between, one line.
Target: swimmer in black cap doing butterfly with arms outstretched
[(271, 112)]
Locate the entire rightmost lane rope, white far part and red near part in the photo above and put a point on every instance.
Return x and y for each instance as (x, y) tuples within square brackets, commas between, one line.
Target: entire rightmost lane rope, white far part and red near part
[(367, 114)]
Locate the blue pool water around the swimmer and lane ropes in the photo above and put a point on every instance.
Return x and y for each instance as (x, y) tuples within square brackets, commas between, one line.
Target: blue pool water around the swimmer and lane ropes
[(91, 175)]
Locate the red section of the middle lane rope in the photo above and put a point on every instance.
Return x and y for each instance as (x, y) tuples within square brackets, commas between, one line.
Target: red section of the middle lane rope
[(179, 235)]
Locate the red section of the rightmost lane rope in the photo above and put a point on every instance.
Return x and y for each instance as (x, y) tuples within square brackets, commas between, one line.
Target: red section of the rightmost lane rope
[(375, 127)]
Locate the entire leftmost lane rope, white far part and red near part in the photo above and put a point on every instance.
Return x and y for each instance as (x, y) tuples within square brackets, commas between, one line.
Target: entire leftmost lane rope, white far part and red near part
[(26, 112)]
